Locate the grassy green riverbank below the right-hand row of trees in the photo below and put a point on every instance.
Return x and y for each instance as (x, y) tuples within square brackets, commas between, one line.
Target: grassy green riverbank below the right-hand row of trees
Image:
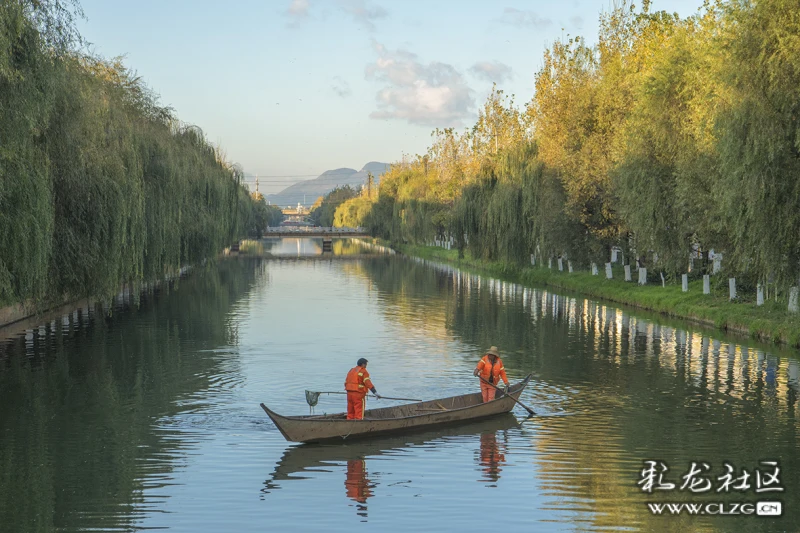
[(770, 322)]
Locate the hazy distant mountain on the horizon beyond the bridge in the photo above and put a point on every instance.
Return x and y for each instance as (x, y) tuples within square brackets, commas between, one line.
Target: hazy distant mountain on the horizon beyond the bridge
[(307, 192)]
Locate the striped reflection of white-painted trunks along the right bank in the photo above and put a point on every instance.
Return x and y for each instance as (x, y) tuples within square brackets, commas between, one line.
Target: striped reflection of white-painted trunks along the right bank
[(711, 360)]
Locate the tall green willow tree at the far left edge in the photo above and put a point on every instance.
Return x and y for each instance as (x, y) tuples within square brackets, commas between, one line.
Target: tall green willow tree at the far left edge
[(33, 37)]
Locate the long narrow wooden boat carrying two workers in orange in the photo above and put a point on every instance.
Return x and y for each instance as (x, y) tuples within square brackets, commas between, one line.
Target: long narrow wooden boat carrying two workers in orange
[(397, 419)]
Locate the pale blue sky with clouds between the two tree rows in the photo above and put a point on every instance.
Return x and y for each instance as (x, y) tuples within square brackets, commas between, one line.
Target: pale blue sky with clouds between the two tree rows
[(291, 88)]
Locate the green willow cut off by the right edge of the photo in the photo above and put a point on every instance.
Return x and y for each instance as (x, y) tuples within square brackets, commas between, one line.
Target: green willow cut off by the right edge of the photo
[(759, 138)]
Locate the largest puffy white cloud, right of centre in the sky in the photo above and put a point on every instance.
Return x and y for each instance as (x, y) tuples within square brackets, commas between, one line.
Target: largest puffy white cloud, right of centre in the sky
[(435, 94)]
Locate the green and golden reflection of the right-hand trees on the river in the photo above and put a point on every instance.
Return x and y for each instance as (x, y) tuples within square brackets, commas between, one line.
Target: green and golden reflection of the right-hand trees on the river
[(638, 389)]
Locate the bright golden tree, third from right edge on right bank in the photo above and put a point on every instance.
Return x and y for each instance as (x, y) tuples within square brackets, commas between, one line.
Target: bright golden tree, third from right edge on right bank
[(584, 95)]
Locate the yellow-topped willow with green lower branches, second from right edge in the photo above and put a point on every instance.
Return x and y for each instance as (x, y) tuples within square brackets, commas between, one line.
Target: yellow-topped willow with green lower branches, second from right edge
[(659, 140)]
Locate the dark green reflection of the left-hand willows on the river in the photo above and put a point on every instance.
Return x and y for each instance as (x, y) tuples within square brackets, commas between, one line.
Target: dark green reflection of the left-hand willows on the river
[(80, 397)]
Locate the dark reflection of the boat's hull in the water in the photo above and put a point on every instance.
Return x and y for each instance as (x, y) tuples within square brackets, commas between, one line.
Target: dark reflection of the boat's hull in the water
[(324, 457)]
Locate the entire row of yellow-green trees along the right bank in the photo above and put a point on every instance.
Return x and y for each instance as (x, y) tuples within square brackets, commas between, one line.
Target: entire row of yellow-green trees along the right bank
[(667, 135)]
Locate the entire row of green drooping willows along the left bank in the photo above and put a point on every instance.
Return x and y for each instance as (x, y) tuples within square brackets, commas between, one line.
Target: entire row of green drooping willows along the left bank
[(99, 185)]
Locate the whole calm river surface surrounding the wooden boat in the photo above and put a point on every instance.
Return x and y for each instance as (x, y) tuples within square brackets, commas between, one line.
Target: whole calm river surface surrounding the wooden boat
[(149, 418)]
